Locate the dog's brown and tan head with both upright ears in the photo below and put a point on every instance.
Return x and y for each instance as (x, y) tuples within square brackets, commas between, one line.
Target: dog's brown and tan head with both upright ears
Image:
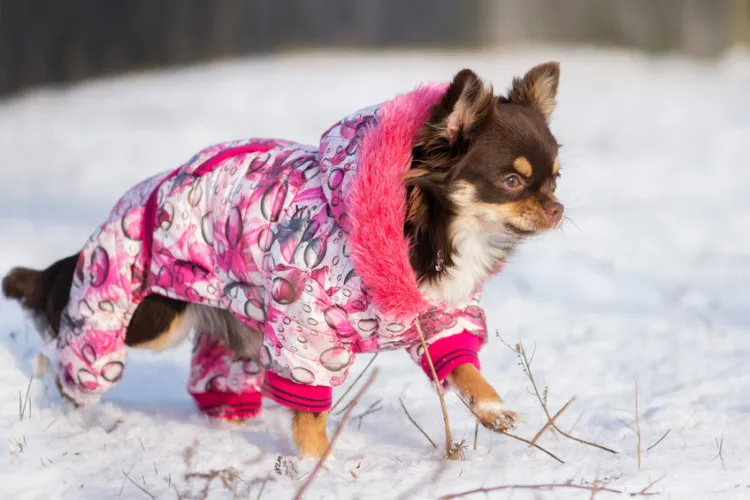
[(495, 155)]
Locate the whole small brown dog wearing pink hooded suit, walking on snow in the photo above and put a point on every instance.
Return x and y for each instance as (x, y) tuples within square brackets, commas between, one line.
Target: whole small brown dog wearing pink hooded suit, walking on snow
[(286, 260)]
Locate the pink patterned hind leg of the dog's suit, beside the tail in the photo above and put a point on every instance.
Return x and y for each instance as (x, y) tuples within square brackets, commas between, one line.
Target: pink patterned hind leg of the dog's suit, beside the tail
[(91, 342)]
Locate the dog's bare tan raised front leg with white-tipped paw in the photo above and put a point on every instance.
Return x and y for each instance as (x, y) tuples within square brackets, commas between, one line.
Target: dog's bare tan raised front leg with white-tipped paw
[(482, 398)]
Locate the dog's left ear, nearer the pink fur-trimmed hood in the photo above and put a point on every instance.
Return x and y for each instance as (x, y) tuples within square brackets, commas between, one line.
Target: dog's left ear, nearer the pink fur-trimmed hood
[(463, 106)]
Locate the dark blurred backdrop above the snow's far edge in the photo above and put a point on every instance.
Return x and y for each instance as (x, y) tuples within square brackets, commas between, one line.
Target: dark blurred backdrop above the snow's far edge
[(54, 41)]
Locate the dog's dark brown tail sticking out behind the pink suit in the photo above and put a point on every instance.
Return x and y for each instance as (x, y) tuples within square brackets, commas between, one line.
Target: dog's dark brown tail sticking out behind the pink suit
[(43, 293)]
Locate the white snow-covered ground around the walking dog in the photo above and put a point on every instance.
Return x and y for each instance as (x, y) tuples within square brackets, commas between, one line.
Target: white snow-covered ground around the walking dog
[(649, 282)]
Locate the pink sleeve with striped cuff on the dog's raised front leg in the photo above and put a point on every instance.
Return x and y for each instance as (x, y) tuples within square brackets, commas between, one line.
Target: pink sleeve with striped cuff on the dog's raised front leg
[(454, 337)]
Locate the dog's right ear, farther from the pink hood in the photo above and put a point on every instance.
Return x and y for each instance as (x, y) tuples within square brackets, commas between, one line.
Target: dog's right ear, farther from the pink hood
[(538, 88)]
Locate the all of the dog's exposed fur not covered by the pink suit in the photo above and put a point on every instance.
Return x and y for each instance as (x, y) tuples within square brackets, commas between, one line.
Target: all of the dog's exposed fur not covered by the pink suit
[(482, 179)]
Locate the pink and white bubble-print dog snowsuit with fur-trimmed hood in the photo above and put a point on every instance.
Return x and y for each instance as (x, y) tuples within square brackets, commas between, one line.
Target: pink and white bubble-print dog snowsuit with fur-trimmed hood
[(302, 243)]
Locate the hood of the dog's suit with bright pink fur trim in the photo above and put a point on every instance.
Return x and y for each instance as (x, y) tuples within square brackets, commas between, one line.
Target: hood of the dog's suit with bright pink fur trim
[(363, 161)]
